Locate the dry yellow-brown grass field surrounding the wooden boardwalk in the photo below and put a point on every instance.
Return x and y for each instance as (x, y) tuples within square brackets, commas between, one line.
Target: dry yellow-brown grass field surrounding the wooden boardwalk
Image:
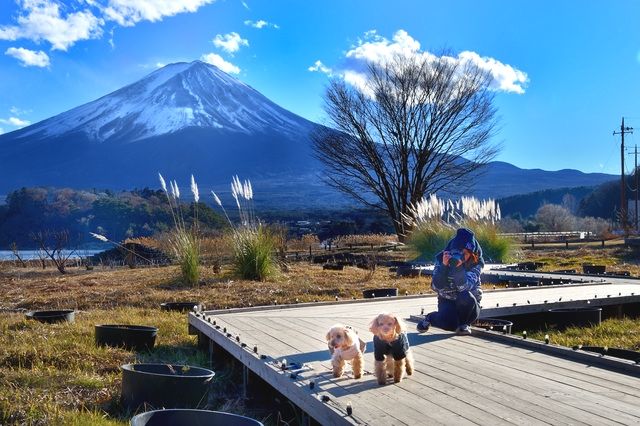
[(53, 374)]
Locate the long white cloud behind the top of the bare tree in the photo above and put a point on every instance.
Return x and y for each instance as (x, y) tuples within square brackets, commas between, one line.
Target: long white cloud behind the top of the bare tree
[(376, 49)]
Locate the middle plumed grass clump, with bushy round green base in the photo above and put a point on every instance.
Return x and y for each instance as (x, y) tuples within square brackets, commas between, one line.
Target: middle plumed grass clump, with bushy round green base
[(254, 244)]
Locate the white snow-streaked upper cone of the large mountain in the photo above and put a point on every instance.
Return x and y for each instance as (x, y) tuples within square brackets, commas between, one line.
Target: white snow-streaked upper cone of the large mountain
[(172, 98)]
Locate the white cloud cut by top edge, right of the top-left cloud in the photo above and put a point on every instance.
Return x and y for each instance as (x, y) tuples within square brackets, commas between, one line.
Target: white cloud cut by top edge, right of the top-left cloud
[(129, 12)]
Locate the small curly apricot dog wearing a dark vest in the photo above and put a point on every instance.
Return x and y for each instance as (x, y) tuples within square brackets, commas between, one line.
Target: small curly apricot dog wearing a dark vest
[(391, 348)]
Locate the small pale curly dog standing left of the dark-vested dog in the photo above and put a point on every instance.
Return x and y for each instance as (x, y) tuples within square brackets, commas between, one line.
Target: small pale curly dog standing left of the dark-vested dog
[(345, 345)]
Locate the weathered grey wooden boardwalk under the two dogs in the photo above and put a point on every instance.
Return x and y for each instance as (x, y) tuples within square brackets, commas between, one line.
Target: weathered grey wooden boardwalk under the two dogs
[(458, 379)]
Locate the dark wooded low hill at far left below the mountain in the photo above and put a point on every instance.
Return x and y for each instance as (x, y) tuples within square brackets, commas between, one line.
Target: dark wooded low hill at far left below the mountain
[(118, 215)]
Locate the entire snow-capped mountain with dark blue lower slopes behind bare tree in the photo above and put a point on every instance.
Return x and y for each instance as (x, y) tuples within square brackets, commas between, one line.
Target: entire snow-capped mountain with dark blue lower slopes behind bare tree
[(192, 118)]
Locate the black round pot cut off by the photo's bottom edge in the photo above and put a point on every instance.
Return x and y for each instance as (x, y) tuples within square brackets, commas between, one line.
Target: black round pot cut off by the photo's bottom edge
[(174, 417)]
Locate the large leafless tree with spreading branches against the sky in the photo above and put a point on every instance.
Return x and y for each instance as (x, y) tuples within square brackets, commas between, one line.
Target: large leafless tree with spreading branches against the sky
[(416, 126)]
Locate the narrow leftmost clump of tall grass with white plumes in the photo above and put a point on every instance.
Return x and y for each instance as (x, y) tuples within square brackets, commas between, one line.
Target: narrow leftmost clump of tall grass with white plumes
[(184, 239)]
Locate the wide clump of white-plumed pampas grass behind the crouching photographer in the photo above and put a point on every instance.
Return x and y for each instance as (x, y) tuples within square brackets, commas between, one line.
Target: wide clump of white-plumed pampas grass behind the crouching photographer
[(434, 222)]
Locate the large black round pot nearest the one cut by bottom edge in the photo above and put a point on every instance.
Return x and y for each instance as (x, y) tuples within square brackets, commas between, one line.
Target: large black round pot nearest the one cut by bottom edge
[(165, 385)]
